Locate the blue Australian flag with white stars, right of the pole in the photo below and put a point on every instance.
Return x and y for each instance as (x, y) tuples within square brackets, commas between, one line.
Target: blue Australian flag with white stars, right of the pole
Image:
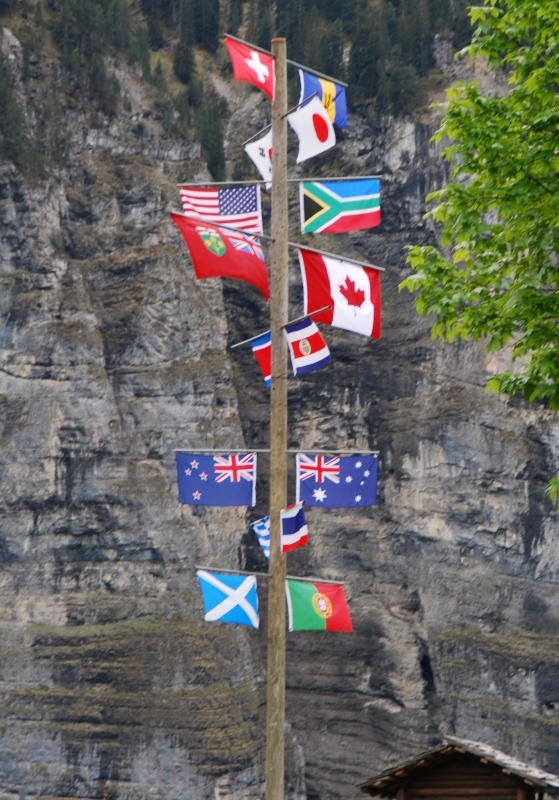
[(337, 481)]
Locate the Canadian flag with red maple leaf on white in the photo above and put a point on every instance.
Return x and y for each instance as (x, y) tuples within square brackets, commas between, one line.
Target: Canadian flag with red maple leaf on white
[(353, 292)]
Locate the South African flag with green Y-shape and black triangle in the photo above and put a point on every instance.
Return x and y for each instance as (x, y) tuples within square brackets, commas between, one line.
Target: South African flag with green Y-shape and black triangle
[(339, 206)]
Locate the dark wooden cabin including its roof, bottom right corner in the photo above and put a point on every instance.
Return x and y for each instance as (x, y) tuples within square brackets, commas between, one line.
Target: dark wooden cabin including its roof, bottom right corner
[(462, 770)]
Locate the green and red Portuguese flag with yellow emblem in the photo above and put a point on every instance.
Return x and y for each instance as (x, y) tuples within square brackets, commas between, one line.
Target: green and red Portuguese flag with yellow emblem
[(317, 607)]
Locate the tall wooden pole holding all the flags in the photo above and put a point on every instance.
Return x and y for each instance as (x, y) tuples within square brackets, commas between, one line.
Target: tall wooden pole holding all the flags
[(275, 712)]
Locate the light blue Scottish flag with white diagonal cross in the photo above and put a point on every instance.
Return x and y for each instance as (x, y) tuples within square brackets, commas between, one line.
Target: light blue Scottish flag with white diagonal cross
[(229, 598)]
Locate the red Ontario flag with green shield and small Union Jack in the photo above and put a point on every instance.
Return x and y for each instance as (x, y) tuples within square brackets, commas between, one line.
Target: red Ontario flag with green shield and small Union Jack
[(222, 253)]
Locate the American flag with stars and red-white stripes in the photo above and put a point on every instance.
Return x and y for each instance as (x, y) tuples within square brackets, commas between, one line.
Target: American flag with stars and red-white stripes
[(239, 208)]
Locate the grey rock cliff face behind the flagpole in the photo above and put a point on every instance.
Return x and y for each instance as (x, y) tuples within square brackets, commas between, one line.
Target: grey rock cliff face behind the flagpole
[(112, 355)]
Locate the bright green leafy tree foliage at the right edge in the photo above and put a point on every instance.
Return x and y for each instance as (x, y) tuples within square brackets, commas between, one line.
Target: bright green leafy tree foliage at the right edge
[(498, 278)]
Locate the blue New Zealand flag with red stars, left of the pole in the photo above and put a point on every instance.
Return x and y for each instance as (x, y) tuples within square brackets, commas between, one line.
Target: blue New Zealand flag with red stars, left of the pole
[(221, 480)]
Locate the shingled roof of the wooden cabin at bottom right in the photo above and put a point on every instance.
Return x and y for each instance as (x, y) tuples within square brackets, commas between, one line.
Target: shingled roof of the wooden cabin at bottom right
[(387, 783)]
